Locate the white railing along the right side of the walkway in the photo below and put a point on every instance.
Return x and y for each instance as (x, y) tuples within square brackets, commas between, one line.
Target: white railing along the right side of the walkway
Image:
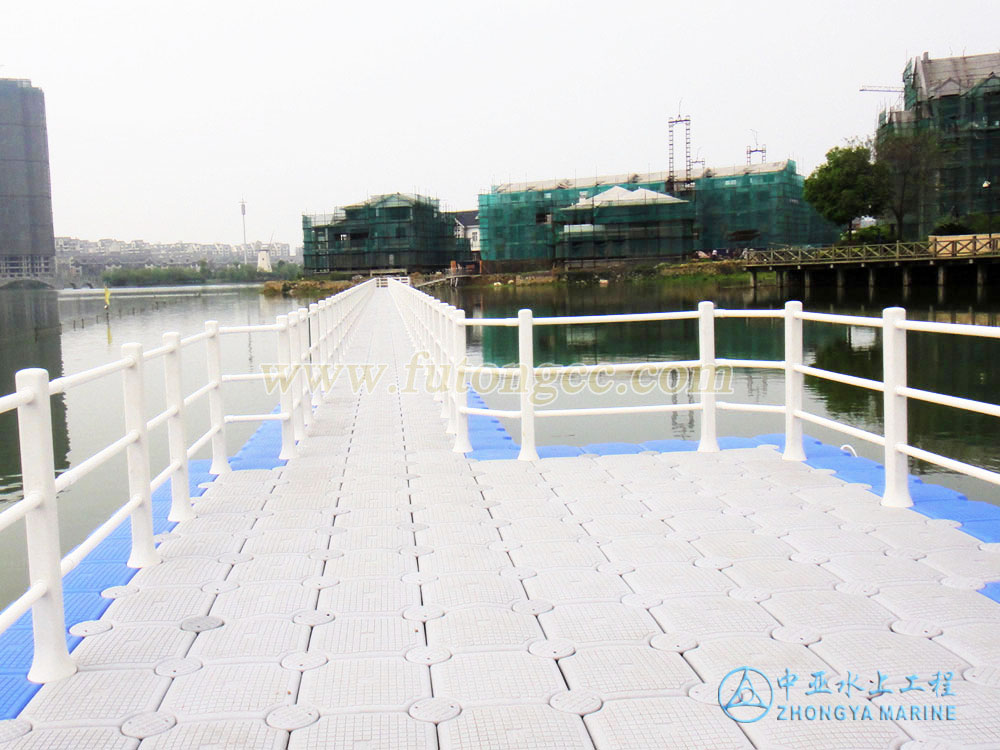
[(440, 329)]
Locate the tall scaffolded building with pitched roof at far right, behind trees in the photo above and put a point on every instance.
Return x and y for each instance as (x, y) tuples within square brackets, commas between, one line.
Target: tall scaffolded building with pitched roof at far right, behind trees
[(957, 99)]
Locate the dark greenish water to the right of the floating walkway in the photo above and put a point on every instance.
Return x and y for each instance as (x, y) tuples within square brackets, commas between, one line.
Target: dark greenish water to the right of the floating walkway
[(955, 365)]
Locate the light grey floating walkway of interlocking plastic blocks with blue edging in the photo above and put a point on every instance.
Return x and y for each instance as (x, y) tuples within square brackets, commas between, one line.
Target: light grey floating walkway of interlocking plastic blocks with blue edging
[(374, 588)]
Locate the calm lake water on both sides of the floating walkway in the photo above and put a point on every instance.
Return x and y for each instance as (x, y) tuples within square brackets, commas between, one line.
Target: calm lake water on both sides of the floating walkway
[(67, 332)]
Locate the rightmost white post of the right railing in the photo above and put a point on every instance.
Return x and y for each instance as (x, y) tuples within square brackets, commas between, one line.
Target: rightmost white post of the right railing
[(897, 489)]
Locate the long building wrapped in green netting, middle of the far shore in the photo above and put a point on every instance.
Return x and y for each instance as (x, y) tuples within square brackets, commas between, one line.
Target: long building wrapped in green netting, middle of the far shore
[(655, 216)]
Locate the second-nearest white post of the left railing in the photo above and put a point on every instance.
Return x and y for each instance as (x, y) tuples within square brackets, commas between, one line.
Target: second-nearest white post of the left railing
[(137, 460)]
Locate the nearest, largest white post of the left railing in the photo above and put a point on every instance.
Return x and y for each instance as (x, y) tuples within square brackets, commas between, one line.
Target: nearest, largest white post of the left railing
[(51, 660)]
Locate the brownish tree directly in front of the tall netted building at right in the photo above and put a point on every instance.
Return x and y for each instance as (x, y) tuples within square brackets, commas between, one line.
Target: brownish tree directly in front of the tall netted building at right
[(910, 162)]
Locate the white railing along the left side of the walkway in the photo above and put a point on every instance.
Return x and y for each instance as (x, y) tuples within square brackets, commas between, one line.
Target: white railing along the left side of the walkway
[(313, 337)]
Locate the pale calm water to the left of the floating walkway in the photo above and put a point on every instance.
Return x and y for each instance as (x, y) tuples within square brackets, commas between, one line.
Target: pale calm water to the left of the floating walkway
[(67, 332)]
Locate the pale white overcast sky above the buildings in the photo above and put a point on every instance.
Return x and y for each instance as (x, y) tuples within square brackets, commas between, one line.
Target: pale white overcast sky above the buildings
[(161, 116)]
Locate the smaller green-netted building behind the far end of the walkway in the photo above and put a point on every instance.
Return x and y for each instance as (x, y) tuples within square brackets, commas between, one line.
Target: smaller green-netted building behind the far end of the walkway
[(396, 231)]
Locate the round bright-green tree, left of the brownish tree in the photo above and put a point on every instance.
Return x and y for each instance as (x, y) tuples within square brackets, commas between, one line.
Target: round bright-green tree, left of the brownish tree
[(847, 186)]
